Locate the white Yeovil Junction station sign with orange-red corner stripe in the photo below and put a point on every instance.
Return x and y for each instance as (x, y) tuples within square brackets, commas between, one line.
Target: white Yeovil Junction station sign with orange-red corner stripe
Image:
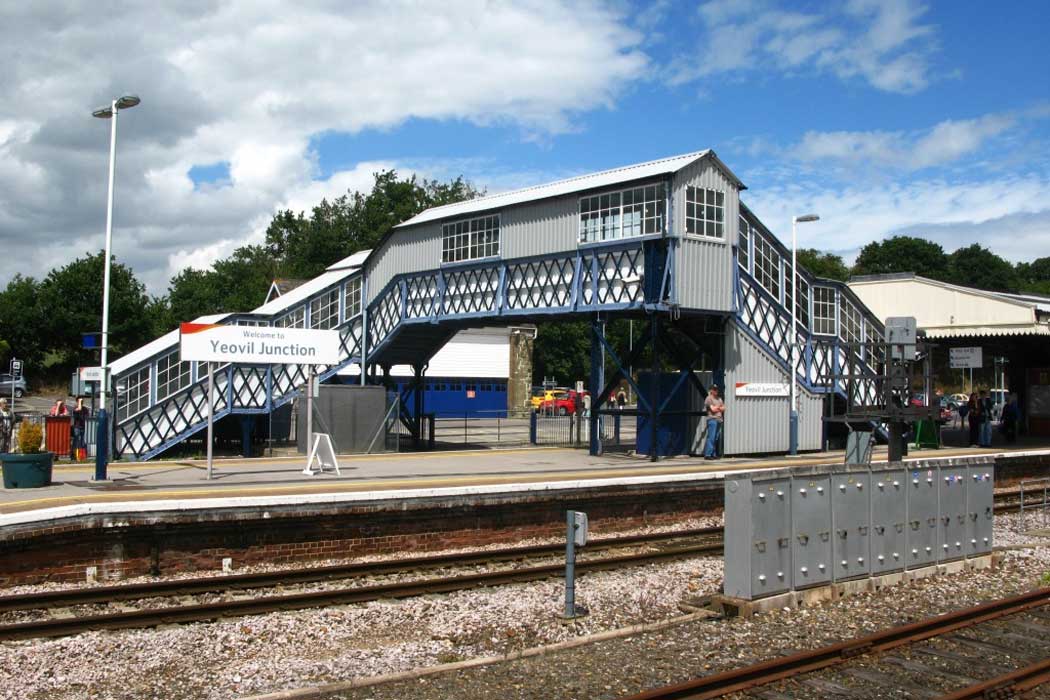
[(212, 343)]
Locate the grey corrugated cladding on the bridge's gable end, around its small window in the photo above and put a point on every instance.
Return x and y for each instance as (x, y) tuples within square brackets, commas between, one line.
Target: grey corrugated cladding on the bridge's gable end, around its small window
[(704, 267)]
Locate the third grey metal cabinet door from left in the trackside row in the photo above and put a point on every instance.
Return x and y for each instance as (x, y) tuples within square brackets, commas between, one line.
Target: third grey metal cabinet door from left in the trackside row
[(851, 525)]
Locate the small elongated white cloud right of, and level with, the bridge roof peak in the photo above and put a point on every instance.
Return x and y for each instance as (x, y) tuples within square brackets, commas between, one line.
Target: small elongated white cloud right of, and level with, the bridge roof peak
[(909, 151)]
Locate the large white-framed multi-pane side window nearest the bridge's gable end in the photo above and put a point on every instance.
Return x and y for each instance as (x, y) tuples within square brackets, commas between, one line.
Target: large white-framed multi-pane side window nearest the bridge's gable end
[(635, 213)]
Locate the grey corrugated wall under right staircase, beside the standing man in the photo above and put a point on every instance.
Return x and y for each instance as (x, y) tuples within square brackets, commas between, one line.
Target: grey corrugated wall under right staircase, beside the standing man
[(761, 425)]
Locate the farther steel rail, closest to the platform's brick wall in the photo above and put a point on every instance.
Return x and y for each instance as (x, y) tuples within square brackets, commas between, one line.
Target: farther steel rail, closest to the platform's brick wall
[(67, 598)]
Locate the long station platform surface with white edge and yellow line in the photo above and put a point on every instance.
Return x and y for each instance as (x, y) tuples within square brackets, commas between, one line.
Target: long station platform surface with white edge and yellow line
[(238, 483)]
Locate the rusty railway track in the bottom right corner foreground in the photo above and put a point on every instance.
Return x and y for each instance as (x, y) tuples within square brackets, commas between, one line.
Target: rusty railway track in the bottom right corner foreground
[(948, 650)]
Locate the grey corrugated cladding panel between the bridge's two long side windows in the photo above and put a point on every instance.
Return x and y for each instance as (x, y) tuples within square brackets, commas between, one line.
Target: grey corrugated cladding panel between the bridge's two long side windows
[(541, 228)]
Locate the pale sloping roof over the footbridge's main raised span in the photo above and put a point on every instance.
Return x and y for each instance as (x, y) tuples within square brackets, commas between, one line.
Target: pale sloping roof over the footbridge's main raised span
[(579, 184)]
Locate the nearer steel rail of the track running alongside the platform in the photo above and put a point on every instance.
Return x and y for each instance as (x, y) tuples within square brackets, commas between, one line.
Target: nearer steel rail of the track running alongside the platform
[(206, 612)]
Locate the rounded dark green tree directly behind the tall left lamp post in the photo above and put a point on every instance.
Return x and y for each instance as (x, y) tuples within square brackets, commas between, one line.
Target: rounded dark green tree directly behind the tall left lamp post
[(71, 304)]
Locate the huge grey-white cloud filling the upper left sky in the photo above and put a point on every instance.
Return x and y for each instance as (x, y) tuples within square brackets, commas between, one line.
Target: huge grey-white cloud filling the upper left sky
[(249, 86)]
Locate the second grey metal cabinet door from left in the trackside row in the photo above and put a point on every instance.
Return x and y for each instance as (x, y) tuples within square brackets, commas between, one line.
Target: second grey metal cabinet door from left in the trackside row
[(812, 538)]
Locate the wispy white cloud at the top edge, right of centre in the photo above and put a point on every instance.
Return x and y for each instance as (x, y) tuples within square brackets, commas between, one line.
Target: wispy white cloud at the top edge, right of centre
[(883, 43)]
